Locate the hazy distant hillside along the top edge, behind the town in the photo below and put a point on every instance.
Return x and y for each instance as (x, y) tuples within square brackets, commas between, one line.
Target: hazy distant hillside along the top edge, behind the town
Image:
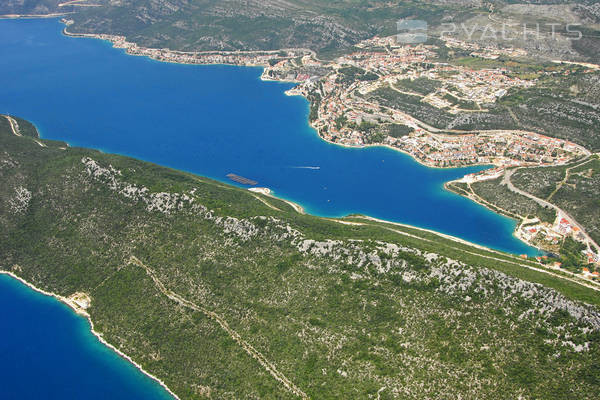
[(327, 27)]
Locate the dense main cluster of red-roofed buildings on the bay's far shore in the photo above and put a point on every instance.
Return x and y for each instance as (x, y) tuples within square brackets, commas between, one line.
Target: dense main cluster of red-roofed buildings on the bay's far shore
[(344, 106)]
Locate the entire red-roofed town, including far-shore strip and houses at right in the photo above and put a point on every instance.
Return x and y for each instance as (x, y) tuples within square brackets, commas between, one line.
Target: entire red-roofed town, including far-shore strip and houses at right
[(344, 112)]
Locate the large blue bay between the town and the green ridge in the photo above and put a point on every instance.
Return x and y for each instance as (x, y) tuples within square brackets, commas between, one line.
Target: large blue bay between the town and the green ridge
[(215, 120)]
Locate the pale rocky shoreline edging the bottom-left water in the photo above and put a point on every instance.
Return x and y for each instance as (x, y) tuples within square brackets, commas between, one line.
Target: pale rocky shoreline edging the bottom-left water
[(81, 312)]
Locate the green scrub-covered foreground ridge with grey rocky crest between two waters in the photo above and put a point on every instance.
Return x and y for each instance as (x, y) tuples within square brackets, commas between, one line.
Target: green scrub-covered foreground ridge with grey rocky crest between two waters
[(340, 310)]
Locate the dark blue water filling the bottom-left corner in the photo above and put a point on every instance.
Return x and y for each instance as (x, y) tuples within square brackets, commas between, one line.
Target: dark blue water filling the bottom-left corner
[(48, 352)]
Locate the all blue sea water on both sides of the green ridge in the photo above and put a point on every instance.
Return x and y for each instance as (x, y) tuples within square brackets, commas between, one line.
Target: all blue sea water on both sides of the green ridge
[(209, 120)]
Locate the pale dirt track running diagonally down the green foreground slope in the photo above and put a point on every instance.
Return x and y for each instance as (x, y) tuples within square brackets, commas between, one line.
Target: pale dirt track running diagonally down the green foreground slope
[(266, 364)]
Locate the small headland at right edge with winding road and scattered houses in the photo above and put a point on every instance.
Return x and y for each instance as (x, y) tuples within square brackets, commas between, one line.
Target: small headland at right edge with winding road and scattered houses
[(557, 208)]
